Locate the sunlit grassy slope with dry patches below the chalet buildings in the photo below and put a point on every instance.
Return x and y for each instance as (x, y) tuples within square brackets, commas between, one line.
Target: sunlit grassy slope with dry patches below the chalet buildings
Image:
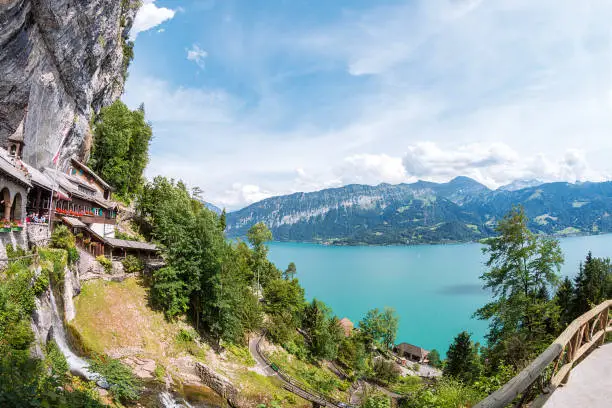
[(114, 318)]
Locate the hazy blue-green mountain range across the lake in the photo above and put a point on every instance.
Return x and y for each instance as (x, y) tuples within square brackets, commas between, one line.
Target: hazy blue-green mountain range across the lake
[(426, 212)]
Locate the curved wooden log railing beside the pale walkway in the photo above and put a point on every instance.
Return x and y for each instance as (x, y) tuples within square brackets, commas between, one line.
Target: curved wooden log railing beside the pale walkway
[(551, 369)]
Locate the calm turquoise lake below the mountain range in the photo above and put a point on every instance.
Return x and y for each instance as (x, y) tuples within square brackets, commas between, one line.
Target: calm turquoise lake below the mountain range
[(434, 288)]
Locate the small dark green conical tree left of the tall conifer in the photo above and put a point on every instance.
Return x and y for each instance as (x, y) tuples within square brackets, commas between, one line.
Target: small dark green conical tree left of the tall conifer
[(462, 359)]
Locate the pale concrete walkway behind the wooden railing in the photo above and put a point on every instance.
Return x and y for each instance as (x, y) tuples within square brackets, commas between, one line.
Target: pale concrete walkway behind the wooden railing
[(589, 385)]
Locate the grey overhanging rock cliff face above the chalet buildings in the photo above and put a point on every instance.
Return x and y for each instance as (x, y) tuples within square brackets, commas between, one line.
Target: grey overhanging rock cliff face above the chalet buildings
[(60, 61)]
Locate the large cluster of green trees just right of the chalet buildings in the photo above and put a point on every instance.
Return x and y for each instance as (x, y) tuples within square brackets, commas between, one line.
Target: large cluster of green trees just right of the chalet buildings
[(206, 276)]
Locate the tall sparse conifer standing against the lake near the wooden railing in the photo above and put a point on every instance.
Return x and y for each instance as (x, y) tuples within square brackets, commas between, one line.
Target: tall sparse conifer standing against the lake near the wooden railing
[(521, 268)]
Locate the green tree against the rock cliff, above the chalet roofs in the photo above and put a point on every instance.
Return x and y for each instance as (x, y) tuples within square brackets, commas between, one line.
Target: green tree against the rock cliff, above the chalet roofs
[(121, 145)]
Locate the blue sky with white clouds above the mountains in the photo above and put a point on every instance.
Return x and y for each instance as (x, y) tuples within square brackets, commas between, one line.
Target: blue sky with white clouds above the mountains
[(250, 99)]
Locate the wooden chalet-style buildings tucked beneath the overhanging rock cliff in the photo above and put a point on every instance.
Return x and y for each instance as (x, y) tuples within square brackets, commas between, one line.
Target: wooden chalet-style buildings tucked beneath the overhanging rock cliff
[(34, 201)]
